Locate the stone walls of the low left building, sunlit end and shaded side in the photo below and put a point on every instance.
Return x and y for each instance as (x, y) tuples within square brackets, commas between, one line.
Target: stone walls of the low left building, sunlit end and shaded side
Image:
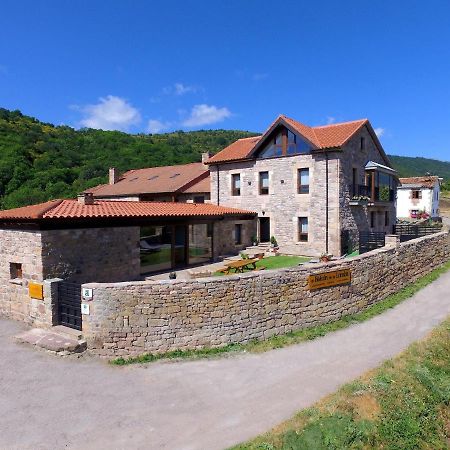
[(79, 255)]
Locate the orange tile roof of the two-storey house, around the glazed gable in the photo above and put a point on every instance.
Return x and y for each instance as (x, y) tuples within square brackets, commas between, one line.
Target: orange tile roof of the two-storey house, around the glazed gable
[(322, 137)]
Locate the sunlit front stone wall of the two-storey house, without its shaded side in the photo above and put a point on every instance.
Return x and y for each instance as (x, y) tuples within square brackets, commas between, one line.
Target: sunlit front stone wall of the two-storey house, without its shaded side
[(284, 205)]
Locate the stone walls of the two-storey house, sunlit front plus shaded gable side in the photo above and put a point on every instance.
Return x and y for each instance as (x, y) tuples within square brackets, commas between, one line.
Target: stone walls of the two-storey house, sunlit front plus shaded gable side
[(284, 205)]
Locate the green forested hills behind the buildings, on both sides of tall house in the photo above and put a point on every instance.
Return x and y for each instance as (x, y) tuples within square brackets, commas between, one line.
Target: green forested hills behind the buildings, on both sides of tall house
[(39, 161)]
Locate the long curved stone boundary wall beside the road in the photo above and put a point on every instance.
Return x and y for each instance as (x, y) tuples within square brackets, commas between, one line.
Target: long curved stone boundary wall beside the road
[(152, 316)]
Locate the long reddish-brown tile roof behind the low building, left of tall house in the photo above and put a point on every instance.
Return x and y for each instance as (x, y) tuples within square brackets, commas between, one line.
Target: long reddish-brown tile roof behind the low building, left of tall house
[(154, 180)]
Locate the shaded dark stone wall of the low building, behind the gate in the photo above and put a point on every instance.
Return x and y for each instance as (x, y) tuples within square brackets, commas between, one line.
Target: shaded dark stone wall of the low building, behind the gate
[(91, 254)]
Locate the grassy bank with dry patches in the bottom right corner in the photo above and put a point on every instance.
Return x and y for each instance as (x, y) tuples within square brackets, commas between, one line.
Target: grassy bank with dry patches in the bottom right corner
[(400, 406)]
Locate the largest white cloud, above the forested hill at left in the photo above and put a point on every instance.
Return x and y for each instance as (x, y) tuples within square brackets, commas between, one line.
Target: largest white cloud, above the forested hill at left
[(110, 113)]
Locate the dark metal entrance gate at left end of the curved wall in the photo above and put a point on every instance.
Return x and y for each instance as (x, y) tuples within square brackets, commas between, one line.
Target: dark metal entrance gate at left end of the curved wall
[(69, 304)]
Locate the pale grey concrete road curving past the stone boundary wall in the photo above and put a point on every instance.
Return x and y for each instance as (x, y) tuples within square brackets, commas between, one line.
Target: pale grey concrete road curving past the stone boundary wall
[(47, 402)]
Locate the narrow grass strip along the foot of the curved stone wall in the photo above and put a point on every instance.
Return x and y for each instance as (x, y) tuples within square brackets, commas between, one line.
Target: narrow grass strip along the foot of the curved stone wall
[(295, 337)]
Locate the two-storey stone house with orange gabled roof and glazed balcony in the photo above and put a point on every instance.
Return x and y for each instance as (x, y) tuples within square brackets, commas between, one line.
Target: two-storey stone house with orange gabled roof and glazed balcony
[(315, 189)]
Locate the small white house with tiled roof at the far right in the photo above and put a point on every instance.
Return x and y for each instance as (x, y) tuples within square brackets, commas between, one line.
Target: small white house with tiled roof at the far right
[(416, 195)]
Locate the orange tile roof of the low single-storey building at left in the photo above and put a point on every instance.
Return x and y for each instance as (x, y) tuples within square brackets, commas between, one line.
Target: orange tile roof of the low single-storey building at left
[(72, 209)]
